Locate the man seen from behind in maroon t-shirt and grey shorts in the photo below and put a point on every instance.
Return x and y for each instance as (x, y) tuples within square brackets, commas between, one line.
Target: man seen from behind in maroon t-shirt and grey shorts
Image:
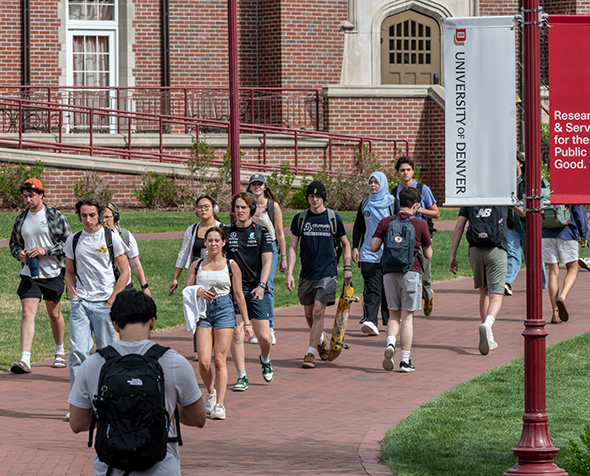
[(401, 271)]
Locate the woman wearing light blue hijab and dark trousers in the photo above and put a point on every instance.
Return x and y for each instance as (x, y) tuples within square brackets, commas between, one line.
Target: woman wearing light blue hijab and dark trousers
[(372, 210)]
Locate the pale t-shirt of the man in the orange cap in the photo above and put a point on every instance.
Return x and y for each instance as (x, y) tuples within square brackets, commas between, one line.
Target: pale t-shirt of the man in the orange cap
[(35, 232)]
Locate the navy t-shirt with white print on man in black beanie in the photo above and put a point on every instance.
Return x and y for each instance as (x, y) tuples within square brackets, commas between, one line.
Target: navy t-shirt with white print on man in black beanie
[(318, 259)]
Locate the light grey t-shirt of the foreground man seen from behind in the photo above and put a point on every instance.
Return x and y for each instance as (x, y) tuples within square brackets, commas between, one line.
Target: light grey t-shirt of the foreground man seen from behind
[(181, 387)]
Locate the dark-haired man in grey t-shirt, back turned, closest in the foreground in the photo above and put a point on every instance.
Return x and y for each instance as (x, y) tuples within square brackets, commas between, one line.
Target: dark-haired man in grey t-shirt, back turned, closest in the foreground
[(134, 315)]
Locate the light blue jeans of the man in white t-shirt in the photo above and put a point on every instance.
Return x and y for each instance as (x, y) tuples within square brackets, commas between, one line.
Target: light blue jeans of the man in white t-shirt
[(87, 316)]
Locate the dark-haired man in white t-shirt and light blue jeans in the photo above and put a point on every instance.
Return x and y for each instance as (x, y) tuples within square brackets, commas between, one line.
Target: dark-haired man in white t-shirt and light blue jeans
[(88, 258)]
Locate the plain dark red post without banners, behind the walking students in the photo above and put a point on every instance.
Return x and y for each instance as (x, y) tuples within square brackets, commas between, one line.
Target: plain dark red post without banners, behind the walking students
[(234, 96)]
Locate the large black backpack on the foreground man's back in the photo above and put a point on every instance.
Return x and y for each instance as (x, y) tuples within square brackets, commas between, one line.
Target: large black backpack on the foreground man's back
[(131, 419)]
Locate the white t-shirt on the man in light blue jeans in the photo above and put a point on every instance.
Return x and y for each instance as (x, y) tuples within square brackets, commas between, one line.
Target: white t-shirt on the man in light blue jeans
[(96, 279)]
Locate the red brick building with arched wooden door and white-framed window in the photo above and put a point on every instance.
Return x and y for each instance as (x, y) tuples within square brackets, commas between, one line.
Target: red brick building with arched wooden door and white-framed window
[(377, 63)]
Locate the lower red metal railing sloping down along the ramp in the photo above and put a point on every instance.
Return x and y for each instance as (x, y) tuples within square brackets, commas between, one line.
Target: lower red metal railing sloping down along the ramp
[(44, 125)]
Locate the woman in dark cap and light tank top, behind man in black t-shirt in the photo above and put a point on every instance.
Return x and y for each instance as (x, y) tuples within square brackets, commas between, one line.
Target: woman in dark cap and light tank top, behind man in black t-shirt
[(269, 215)]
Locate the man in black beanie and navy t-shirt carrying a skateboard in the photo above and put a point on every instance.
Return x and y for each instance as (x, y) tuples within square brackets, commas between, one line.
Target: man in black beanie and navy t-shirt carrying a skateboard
[(317, 227)]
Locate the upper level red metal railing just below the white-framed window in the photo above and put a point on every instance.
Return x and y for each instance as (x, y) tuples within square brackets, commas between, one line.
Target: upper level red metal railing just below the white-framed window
[(299, 108)]
